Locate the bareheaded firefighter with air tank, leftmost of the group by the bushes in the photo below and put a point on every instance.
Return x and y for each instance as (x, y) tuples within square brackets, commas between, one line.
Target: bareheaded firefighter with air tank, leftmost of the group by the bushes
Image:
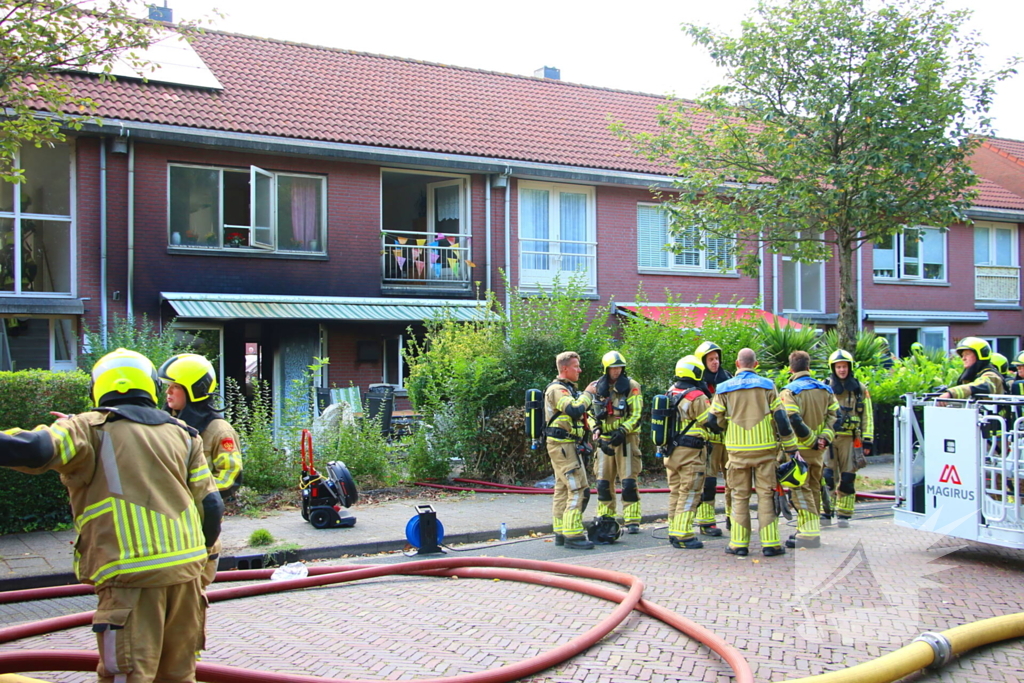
[(565, 410)]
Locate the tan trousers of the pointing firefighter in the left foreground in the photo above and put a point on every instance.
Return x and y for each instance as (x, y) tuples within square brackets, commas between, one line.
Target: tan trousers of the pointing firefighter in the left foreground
[(150, 634)]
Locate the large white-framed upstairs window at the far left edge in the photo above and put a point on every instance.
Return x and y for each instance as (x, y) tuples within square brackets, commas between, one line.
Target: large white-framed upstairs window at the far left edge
[(37, 234)]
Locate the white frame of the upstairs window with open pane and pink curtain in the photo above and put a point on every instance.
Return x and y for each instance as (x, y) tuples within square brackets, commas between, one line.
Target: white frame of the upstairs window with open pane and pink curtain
[(262, 238)]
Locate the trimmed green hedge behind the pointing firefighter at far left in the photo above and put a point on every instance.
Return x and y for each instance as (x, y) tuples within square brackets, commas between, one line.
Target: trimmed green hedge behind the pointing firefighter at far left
[(32, 503)]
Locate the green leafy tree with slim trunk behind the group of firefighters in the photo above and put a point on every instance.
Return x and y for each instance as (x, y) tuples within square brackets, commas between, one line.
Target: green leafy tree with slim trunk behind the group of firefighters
[(840, 123)]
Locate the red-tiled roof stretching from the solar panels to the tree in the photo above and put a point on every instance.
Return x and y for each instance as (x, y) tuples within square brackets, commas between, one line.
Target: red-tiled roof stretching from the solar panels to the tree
[(308, 93)]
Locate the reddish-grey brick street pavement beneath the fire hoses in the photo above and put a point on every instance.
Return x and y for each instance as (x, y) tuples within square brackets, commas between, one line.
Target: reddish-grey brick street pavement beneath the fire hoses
[(870, 590)]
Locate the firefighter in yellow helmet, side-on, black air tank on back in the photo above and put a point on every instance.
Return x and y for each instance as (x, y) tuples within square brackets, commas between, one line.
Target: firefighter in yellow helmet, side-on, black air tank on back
[(687, 462)]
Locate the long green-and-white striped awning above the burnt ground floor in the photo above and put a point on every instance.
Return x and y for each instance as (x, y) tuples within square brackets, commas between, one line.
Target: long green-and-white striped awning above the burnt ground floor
[(261, 307)]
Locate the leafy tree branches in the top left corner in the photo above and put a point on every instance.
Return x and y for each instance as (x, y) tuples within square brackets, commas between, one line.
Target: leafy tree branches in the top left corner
[(40, 38)]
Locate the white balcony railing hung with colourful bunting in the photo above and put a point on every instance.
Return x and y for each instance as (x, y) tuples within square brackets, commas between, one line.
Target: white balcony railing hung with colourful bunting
[(417, 260)]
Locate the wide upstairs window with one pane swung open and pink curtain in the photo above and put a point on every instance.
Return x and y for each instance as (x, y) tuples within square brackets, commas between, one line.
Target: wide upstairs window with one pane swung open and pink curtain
[(221, 208)]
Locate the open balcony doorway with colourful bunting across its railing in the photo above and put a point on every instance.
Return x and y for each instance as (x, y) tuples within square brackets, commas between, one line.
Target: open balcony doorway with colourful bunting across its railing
[(425, 231)]
